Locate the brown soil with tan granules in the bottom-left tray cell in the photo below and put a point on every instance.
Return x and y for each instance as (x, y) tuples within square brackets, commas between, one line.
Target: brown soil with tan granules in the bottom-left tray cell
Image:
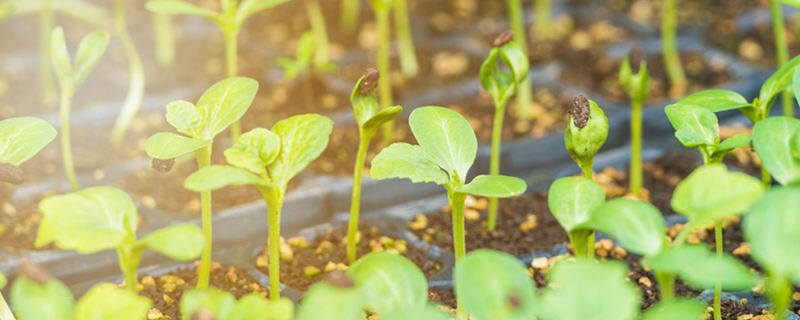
[(166, 290)]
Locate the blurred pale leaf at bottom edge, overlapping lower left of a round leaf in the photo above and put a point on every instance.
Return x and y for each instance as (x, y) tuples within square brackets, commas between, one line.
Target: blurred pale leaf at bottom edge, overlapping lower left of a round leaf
[(324, 300)]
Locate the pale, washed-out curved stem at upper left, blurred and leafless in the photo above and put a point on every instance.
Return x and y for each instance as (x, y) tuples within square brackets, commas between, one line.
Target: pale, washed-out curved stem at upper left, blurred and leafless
[(136, 78)]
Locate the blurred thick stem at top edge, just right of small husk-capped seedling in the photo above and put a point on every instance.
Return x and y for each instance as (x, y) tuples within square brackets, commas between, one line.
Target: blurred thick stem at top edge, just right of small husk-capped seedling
[(672, 60)]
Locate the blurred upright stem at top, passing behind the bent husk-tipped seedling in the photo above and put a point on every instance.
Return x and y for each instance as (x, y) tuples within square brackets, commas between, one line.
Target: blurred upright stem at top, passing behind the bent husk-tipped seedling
[(384, 68)]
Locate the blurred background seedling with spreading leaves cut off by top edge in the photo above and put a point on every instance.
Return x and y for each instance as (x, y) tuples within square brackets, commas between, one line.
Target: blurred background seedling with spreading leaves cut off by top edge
[(234, 14)]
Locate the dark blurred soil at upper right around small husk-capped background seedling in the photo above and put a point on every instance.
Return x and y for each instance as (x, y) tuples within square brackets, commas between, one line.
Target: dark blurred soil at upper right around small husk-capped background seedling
[(601, 76)]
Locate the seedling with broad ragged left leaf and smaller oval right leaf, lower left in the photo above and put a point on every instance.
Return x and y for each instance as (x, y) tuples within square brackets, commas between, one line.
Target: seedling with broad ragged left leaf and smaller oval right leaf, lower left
[(103, 218)]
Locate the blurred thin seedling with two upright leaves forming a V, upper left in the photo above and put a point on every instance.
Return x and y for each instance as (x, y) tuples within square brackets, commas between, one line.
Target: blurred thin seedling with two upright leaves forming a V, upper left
[(70, 76)]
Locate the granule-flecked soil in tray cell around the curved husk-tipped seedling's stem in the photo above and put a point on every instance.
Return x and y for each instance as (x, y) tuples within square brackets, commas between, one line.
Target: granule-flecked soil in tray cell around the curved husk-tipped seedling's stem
[(304, 263)]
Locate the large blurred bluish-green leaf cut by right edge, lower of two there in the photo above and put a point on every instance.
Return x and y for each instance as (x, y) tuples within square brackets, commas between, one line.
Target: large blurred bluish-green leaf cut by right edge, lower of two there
[(773, 230)]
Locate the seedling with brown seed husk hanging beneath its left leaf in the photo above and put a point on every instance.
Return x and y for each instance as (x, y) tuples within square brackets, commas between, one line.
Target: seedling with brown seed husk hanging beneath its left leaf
[(221, 105)]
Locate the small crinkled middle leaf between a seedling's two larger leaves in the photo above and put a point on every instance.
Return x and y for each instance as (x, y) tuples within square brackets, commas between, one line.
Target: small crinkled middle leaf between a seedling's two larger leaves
[(254, 150)]
